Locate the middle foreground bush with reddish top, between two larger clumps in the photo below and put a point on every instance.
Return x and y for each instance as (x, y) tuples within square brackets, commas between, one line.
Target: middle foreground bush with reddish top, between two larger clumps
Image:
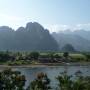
[(40, 83)]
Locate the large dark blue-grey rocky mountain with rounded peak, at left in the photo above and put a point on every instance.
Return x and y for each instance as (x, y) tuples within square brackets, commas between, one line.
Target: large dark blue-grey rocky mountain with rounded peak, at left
[(32, 37)]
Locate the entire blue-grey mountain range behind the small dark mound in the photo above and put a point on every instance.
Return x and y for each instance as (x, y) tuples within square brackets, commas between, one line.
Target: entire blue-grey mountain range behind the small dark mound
[(34, 37)]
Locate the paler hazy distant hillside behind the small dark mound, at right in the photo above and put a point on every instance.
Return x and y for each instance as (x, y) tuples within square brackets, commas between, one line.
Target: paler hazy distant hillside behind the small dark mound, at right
[(77, 41)]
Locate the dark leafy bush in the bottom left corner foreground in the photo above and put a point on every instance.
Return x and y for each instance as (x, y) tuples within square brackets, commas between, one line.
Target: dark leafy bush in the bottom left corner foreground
[(11, 80)]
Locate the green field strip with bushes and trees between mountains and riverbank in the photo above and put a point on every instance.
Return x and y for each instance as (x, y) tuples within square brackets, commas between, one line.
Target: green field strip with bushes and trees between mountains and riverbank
[(24, 58)]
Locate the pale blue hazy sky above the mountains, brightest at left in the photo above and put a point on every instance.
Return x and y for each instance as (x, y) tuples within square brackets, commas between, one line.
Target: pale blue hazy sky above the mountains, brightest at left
[(52, 14)]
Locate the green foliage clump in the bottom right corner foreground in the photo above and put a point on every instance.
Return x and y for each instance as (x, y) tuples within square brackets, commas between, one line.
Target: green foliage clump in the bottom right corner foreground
[(77, 82)]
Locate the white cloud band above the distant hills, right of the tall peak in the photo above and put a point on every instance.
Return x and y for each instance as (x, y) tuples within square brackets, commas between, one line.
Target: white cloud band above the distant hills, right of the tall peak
[(61, 27)]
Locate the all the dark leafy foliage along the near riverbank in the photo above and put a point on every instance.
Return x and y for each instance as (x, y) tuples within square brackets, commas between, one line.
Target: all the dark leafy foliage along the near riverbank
[(13, 80)]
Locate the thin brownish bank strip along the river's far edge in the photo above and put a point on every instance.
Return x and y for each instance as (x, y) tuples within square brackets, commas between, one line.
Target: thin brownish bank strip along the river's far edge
[(47, 65)]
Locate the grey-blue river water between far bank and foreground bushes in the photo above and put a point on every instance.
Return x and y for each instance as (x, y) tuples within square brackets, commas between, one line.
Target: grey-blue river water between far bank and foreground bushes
[(52, 72)]
